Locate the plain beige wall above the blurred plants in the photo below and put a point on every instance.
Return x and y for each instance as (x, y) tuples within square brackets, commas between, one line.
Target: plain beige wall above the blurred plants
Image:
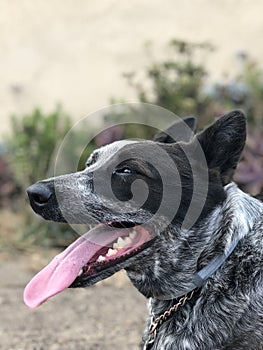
[(75, 52)]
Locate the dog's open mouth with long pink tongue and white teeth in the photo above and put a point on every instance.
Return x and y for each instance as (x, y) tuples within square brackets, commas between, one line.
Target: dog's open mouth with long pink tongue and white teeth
[(101, 249)]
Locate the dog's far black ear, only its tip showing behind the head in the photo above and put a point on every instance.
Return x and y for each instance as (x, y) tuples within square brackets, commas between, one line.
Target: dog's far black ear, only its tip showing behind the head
[(181, 130)]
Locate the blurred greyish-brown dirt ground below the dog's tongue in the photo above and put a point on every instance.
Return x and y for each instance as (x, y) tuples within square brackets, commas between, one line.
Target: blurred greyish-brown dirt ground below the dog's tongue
[(107, 316)]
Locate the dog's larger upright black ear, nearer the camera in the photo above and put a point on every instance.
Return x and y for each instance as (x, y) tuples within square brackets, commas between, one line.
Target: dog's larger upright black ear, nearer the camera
[(223, 142)]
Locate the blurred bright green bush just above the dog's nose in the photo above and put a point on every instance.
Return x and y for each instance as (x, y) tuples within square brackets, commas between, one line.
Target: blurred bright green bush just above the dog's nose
[(33, 141)]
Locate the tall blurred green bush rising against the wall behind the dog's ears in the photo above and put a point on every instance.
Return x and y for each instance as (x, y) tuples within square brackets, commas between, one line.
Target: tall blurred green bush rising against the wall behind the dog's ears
[(176, 82)]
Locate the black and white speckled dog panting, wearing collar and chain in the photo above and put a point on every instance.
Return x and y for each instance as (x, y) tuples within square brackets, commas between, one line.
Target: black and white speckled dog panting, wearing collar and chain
[(202, 272)]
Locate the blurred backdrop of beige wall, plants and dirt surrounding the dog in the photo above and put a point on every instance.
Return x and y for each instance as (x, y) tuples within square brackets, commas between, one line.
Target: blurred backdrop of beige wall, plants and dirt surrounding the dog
[(61, 61)]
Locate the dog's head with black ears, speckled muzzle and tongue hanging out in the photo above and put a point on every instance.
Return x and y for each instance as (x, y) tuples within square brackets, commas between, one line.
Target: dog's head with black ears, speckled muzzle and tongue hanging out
[(140, 193)]
